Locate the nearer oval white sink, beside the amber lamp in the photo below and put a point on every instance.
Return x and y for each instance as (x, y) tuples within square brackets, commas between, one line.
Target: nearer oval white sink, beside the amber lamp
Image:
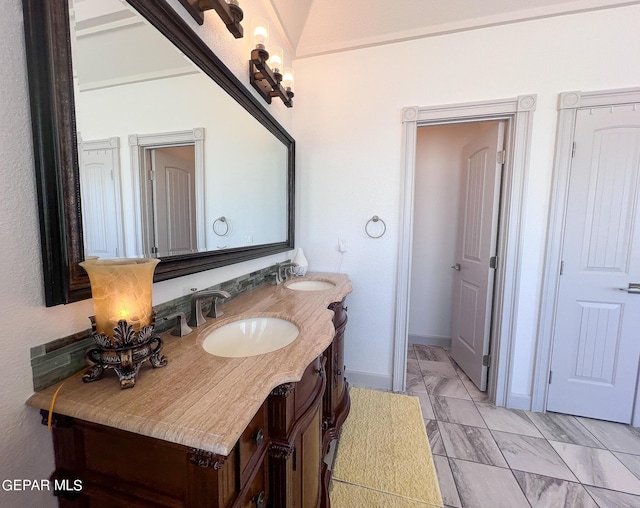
[(250, 337)]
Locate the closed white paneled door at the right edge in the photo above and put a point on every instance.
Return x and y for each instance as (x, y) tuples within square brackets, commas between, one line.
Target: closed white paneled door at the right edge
[(596, 344)]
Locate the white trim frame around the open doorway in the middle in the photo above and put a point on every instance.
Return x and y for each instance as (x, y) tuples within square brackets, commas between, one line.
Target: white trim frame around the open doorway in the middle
[(518, 111)]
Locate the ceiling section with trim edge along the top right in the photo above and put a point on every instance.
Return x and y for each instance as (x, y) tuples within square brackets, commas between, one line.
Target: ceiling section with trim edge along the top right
[(316, 27)]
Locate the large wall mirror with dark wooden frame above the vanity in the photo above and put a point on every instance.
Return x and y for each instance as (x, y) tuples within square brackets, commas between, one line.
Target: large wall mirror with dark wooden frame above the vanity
[(146, 145)]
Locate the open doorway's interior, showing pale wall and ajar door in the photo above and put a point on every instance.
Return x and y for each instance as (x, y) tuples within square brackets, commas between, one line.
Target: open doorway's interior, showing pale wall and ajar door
[(458, 173)]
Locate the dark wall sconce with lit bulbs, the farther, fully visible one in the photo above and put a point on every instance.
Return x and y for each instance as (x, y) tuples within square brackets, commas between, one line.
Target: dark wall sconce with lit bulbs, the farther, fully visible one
[(265, 72)]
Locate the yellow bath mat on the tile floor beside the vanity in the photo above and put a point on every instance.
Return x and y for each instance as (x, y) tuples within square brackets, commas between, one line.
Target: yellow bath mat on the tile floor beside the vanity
[(384, 451)]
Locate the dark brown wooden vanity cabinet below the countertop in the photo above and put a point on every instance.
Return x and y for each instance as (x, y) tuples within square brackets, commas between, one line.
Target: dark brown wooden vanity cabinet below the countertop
[(276, 463)]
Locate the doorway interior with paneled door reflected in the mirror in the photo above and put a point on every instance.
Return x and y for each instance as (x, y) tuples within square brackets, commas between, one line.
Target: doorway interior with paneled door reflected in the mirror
[(174, 201)]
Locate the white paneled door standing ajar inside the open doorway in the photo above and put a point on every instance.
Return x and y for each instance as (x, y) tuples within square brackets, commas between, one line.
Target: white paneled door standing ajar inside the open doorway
[(477, 240)]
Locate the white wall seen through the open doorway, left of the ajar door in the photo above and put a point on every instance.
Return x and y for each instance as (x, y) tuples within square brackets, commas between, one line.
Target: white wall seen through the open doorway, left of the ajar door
[(435, 228)]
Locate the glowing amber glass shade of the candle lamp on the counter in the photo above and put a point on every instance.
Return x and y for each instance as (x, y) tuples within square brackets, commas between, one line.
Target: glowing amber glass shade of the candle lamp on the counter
[(121, 290)]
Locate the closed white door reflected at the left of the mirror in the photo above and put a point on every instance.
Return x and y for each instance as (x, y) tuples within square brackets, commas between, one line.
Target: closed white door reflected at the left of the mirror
[(100, 197)]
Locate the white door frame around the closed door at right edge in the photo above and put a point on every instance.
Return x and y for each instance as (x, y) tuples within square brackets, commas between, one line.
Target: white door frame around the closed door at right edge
[(568, 105)]
